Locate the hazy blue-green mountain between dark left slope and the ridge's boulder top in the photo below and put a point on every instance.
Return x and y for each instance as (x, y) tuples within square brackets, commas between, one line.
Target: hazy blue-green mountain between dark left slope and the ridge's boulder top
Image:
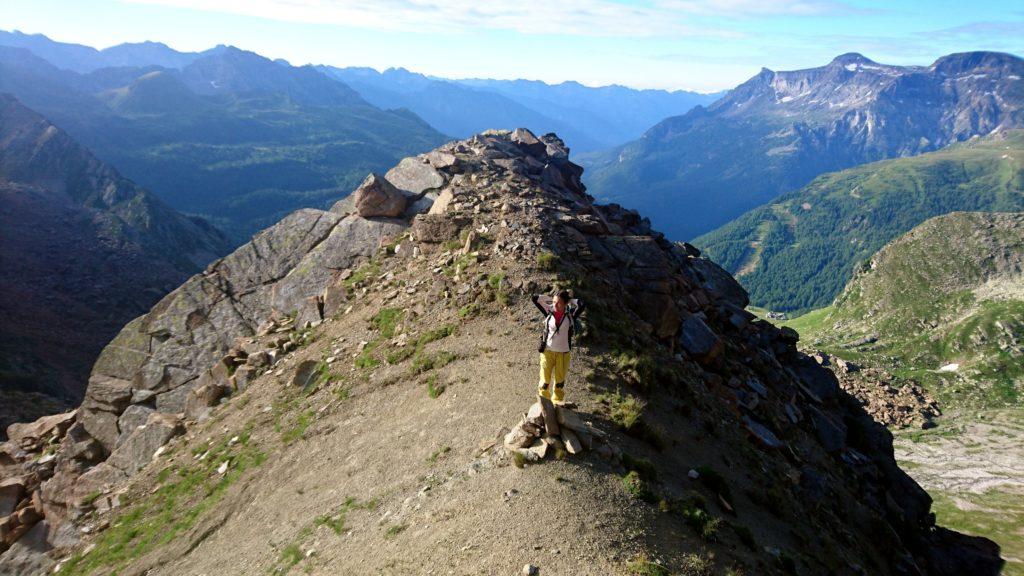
[(233, 137)]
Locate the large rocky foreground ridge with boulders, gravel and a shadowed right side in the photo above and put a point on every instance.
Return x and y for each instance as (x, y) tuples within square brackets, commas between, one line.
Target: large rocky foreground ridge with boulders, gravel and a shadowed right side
[(312, 342)]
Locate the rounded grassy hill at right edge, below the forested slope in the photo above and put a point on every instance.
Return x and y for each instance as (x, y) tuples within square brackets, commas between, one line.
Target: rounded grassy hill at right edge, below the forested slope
[(950, 293)]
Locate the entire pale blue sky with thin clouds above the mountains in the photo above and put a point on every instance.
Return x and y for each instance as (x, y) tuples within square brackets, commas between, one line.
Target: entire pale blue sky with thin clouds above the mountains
[(702, 46)]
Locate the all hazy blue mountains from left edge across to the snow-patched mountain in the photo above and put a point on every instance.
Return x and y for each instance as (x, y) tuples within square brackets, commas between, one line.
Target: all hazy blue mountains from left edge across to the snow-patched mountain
[(242, 140)]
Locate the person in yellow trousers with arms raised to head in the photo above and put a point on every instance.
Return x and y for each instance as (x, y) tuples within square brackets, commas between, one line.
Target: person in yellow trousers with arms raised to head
[(561, 315)]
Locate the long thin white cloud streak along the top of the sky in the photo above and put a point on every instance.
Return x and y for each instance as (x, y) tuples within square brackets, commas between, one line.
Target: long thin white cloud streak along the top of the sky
[(577, 18)]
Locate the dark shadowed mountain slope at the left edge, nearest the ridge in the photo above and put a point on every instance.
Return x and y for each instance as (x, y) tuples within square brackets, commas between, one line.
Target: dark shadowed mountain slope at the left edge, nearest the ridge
[(82, 252)]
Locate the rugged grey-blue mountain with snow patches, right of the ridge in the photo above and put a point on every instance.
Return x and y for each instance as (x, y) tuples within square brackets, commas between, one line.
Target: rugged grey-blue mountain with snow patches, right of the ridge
[(779, 131)]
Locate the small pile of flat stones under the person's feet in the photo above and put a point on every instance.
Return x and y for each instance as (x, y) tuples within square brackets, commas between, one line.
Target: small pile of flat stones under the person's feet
[(547, 428)]
